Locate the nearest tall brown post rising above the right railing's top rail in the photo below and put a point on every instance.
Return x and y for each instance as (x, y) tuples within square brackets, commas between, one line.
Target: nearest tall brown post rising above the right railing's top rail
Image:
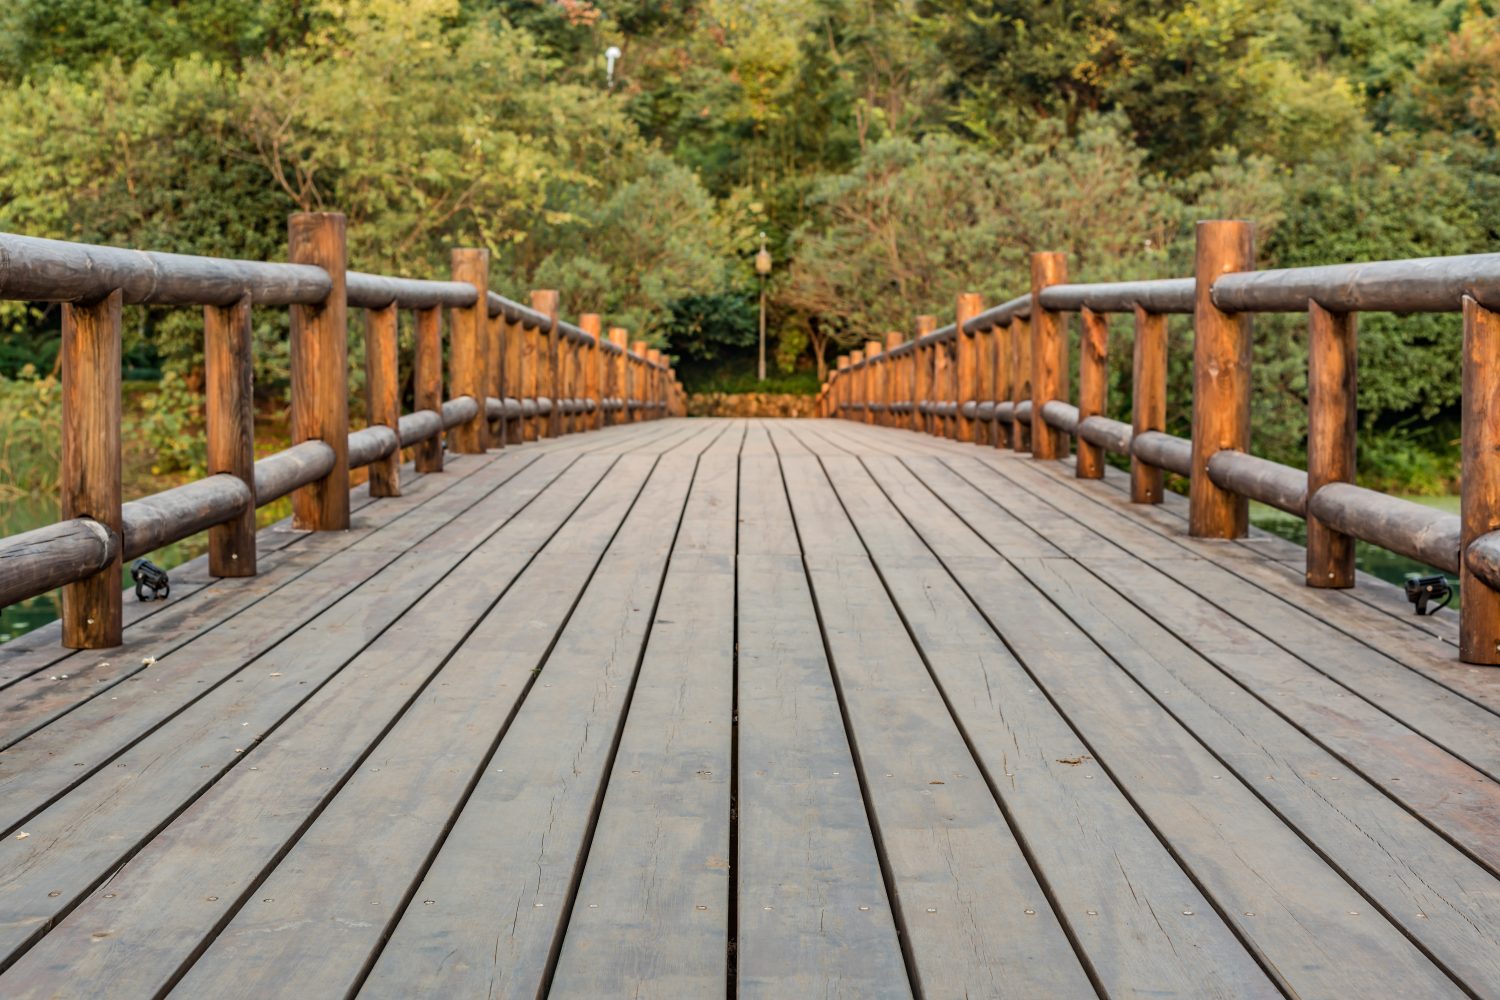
[(1220, 380)]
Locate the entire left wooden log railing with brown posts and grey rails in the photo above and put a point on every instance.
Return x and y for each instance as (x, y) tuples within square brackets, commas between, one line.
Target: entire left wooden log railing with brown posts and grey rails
[(515, 374)]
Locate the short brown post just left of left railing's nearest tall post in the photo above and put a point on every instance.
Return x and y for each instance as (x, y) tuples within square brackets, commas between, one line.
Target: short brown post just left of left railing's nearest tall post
[(230, 410)]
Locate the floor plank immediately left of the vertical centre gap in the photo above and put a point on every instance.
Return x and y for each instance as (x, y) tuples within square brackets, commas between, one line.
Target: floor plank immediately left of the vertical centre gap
[(652, 914)]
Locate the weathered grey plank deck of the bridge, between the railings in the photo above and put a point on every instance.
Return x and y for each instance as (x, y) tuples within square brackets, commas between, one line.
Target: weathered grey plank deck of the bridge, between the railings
[(782, 710)]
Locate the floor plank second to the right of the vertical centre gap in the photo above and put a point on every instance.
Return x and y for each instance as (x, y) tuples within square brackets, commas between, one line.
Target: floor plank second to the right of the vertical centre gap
[(974, 915)]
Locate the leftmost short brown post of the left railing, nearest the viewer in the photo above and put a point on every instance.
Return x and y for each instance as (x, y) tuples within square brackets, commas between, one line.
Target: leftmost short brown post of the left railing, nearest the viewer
[(91, 476)]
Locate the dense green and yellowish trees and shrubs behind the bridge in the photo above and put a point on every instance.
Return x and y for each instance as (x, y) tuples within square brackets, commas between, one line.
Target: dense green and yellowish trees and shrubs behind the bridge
[(896, 152)]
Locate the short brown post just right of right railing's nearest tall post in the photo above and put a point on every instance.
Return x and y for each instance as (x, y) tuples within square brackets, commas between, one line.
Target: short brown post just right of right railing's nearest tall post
[(1331, 437)]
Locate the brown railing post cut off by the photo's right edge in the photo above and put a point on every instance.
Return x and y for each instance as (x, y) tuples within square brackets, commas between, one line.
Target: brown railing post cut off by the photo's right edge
[(1480, 603)]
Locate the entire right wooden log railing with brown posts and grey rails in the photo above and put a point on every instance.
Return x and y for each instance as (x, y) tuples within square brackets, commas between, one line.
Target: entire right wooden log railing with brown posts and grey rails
[(1001, 377)]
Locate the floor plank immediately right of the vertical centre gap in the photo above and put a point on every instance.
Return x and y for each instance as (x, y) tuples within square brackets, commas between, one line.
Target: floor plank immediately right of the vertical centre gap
[(814, 915)]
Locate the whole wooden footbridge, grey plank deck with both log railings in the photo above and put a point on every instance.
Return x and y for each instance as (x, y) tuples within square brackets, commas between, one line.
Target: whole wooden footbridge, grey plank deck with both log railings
[(905, 704)]
